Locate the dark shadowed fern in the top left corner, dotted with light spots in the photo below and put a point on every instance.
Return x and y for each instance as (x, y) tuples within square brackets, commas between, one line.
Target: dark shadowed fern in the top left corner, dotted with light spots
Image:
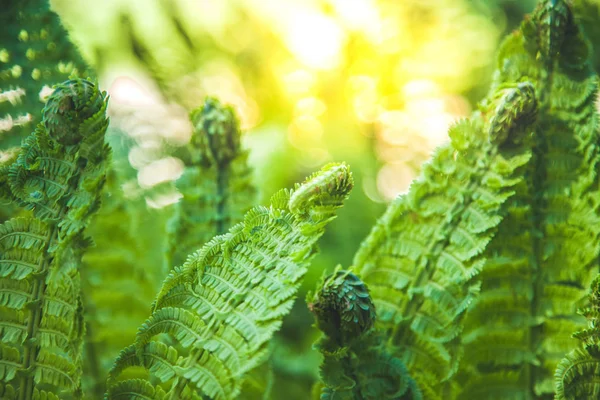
[(35, 53)]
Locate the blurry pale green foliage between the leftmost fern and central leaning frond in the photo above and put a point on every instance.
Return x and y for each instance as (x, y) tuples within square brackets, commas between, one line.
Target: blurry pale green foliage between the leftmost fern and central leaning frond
[(122, 272)]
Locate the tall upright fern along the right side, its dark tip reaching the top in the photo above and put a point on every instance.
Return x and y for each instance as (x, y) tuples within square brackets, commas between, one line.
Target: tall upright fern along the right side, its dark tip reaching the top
[(546, 251)]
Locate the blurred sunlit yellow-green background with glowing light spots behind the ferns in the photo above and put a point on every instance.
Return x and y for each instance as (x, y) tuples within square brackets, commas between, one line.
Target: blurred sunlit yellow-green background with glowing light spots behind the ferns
[(375, 83)]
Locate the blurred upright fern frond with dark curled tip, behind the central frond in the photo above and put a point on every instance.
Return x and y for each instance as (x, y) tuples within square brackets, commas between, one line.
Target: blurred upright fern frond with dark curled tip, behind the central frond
[(215, 184)]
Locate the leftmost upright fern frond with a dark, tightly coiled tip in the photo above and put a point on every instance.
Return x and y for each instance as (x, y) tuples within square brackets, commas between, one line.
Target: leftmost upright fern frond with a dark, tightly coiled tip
[(58, 175)]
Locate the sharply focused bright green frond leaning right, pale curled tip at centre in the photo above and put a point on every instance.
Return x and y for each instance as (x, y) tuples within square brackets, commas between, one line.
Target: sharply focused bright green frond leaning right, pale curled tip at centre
[(224, 304)]
